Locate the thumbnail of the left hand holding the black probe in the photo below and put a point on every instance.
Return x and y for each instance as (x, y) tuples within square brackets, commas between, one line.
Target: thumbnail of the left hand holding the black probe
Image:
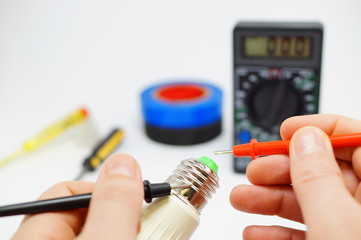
[(123, 167)]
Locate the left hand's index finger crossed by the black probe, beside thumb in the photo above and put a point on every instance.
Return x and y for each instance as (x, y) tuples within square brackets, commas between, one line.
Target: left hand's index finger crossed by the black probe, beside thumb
[(59, 225)]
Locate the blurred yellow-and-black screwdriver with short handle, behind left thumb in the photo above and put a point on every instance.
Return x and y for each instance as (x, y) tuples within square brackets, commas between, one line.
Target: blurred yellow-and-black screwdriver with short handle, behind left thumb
[(101, 152)]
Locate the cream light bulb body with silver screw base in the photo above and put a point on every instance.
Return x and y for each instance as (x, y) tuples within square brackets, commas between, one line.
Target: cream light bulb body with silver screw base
[(176, 217)]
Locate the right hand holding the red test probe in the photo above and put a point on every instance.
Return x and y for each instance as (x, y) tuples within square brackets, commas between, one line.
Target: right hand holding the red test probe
[(314, 185)]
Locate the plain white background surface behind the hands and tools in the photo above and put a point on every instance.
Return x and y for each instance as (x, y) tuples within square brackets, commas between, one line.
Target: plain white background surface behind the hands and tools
[(56, 56)]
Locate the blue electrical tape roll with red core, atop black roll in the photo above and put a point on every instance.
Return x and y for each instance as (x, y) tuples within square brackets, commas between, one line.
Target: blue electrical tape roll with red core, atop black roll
[(183, 113)]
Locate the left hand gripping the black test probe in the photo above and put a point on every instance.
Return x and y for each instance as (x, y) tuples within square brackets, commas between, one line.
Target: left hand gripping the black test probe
[(114, 208)]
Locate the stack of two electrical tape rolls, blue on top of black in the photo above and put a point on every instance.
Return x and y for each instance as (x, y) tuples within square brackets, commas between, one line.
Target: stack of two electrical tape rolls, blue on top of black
[(182, 111)]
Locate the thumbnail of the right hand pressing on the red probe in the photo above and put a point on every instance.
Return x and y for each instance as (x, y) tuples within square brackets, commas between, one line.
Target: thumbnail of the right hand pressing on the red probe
[(309, 140)]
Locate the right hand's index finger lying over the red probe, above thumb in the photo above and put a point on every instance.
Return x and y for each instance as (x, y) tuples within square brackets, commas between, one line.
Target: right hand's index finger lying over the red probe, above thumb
[(330, 124)]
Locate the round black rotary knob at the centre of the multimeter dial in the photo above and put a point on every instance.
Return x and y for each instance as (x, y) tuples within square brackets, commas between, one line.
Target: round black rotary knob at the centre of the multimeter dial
[(271, 102)]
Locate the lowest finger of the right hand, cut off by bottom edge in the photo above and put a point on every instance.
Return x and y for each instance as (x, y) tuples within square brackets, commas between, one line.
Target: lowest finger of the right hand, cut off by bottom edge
[(272, 233)]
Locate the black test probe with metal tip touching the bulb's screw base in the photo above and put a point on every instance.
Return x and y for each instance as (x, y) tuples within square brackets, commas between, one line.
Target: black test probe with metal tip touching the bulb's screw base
[(151, 190)]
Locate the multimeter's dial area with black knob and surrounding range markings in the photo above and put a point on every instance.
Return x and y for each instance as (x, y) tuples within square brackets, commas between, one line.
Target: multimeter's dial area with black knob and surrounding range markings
[(267, 96)]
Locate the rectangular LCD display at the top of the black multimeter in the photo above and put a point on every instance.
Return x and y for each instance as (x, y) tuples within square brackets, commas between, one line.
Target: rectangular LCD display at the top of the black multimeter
[(277, 46)]
